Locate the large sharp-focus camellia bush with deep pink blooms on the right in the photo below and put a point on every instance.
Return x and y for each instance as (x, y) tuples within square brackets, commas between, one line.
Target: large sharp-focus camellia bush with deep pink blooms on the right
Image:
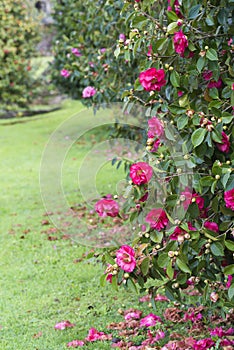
[(181, 193)]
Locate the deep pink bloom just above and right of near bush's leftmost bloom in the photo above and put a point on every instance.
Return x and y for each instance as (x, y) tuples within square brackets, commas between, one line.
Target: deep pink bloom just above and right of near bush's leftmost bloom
[(140, 173)]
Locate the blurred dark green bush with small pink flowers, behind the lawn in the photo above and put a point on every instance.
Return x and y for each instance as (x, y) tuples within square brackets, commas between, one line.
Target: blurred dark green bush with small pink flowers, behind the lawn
[(85, 66)]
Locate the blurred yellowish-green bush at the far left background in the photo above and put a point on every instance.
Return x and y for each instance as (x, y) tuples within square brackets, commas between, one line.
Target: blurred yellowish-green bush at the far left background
[(19, 35)]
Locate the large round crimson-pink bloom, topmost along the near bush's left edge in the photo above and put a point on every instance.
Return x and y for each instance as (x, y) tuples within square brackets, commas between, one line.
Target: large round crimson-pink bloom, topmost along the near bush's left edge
[(152, 79)]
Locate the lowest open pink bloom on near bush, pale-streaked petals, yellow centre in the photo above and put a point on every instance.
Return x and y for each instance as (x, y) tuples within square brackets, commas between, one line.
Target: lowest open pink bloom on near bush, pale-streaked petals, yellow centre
[(126, 258)]
